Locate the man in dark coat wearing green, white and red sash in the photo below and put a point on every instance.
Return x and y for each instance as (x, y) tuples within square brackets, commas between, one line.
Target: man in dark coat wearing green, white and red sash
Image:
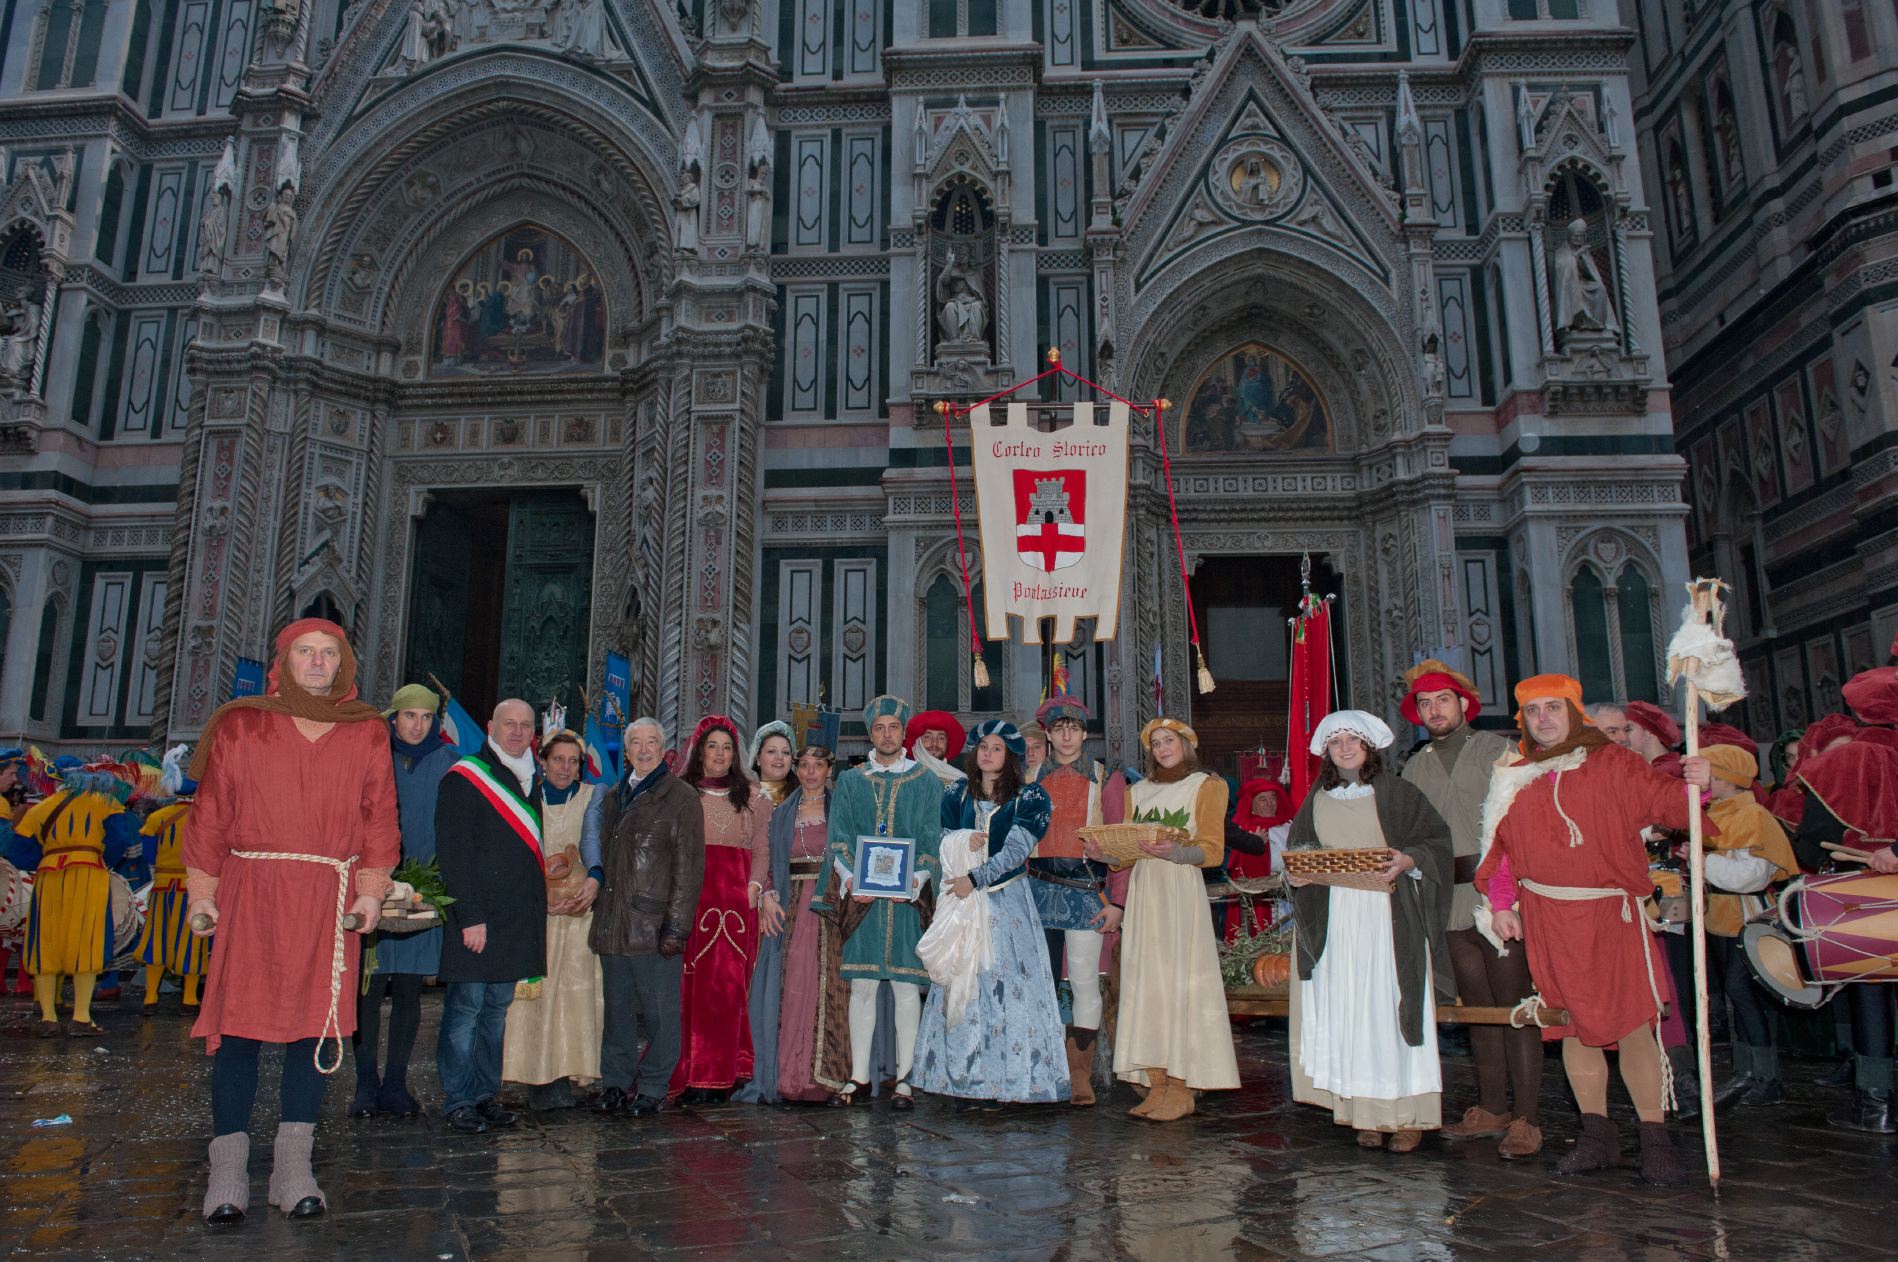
[(489, 847)]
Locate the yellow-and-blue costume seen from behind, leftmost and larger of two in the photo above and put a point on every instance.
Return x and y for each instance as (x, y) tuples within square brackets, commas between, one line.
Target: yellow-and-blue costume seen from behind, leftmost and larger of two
[(69, 931)]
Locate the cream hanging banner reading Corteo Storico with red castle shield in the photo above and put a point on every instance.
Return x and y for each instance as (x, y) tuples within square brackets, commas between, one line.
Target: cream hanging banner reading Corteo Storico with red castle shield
[(1054, 511)]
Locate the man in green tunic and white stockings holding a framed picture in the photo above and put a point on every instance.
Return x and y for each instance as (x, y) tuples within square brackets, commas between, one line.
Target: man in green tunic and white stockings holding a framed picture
[(889, 796)]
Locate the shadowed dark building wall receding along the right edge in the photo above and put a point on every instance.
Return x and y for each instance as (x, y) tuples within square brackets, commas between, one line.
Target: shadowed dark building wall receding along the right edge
[(1770, 132)]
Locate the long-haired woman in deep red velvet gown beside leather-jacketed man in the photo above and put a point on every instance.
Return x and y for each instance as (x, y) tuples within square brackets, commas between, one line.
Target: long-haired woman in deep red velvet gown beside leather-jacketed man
[(716, 1047)]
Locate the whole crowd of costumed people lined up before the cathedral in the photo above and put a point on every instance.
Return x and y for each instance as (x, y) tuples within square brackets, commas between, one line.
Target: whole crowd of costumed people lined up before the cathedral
[(992, 918)]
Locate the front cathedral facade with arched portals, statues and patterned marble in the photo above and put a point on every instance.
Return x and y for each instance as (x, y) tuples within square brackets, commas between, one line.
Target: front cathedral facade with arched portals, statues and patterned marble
[(513, 333)]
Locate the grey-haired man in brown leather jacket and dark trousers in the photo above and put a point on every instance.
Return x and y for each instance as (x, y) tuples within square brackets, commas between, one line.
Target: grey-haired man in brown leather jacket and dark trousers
[(654, 853)]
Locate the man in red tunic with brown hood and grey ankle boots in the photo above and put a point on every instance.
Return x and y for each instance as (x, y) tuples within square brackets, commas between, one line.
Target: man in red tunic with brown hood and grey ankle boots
[(295, 826)]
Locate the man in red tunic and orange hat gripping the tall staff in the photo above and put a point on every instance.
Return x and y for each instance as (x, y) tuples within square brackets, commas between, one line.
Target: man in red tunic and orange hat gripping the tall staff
[(1561, 830)]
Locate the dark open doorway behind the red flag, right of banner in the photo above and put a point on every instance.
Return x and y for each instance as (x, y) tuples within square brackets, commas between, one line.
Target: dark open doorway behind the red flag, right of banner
[(1244, 604)]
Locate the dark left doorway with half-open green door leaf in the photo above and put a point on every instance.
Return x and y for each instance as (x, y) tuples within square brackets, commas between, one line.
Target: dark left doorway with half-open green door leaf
[(500, 599)]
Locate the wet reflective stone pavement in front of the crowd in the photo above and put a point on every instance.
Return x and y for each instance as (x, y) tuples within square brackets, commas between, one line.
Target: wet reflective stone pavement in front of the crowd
[(1250, 1178)]
